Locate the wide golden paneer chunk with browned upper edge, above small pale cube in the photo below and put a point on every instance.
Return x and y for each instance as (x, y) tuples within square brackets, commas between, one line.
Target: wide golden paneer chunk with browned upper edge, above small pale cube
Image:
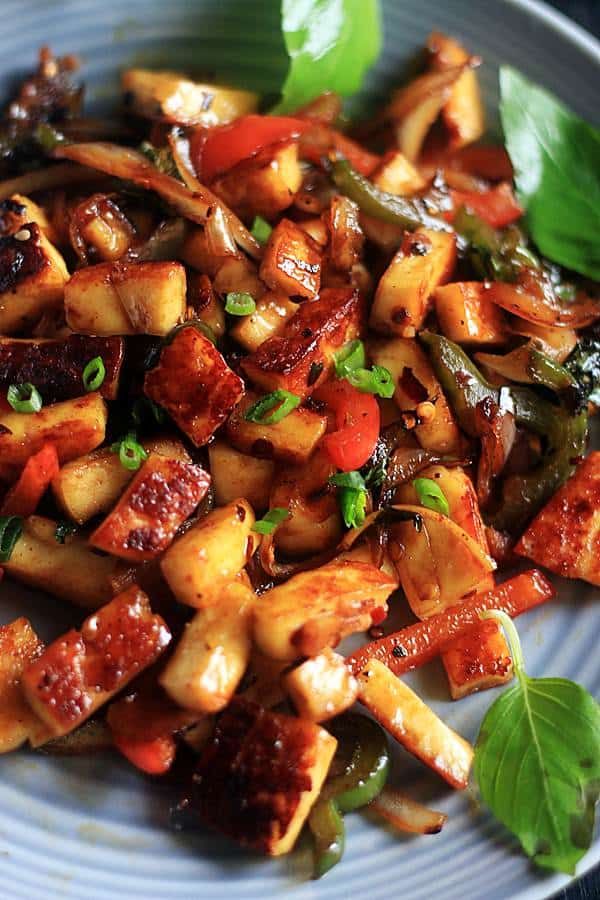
[(316, 609)]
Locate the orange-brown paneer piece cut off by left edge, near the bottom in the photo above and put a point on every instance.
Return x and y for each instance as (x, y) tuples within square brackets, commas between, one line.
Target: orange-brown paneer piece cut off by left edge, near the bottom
[(19, 646)]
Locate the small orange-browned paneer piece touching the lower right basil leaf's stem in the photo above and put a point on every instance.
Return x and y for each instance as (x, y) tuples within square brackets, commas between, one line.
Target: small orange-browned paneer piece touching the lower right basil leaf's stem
[(478, 660)]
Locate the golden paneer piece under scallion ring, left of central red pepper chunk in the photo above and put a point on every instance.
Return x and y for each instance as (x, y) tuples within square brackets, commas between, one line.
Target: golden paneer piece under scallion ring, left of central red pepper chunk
[(293, 439)]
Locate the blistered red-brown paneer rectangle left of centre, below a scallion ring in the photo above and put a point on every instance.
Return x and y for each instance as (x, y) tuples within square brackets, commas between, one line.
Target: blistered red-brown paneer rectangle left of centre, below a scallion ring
[(161, 496)]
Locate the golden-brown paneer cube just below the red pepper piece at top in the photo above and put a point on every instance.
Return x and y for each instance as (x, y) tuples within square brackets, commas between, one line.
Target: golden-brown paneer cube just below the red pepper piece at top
[(264, 185)]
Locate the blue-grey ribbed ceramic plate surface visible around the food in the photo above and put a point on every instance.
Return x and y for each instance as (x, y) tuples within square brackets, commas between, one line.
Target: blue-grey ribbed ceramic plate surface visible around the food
[(91, 828)]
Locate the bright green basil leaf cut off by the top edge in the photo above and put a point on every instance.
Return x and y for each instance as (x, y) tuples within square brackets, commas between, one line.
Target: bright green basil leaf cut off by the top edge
[(331, 44)]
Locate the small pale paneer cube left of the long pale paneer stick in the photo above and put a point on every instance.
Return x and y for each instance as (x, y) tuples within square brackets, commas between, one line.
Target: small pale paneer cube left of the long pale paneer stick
[(321, 687)]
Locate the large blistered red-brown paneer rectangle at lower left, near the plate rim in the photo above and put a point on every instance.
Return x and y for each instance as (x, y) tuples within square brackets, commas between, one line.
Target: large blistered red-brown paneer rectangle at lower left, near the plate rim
[(81, 670)]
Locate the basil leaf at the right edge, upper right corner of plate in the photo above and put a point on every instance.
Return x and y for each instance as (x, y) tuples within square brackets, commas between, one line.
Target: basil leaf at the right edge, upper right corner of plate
[(555, 156)]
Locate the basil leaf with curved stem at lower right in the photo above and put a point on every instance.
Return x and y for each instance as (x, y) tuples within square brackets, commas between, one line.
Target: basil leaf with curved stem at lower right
[(537, 762)]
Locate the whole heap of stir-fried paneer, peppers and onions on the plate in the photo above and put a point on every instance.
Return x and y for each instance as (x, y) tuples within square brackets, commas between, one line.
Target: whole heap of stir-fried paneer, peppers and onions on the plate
[(264, 378)]
